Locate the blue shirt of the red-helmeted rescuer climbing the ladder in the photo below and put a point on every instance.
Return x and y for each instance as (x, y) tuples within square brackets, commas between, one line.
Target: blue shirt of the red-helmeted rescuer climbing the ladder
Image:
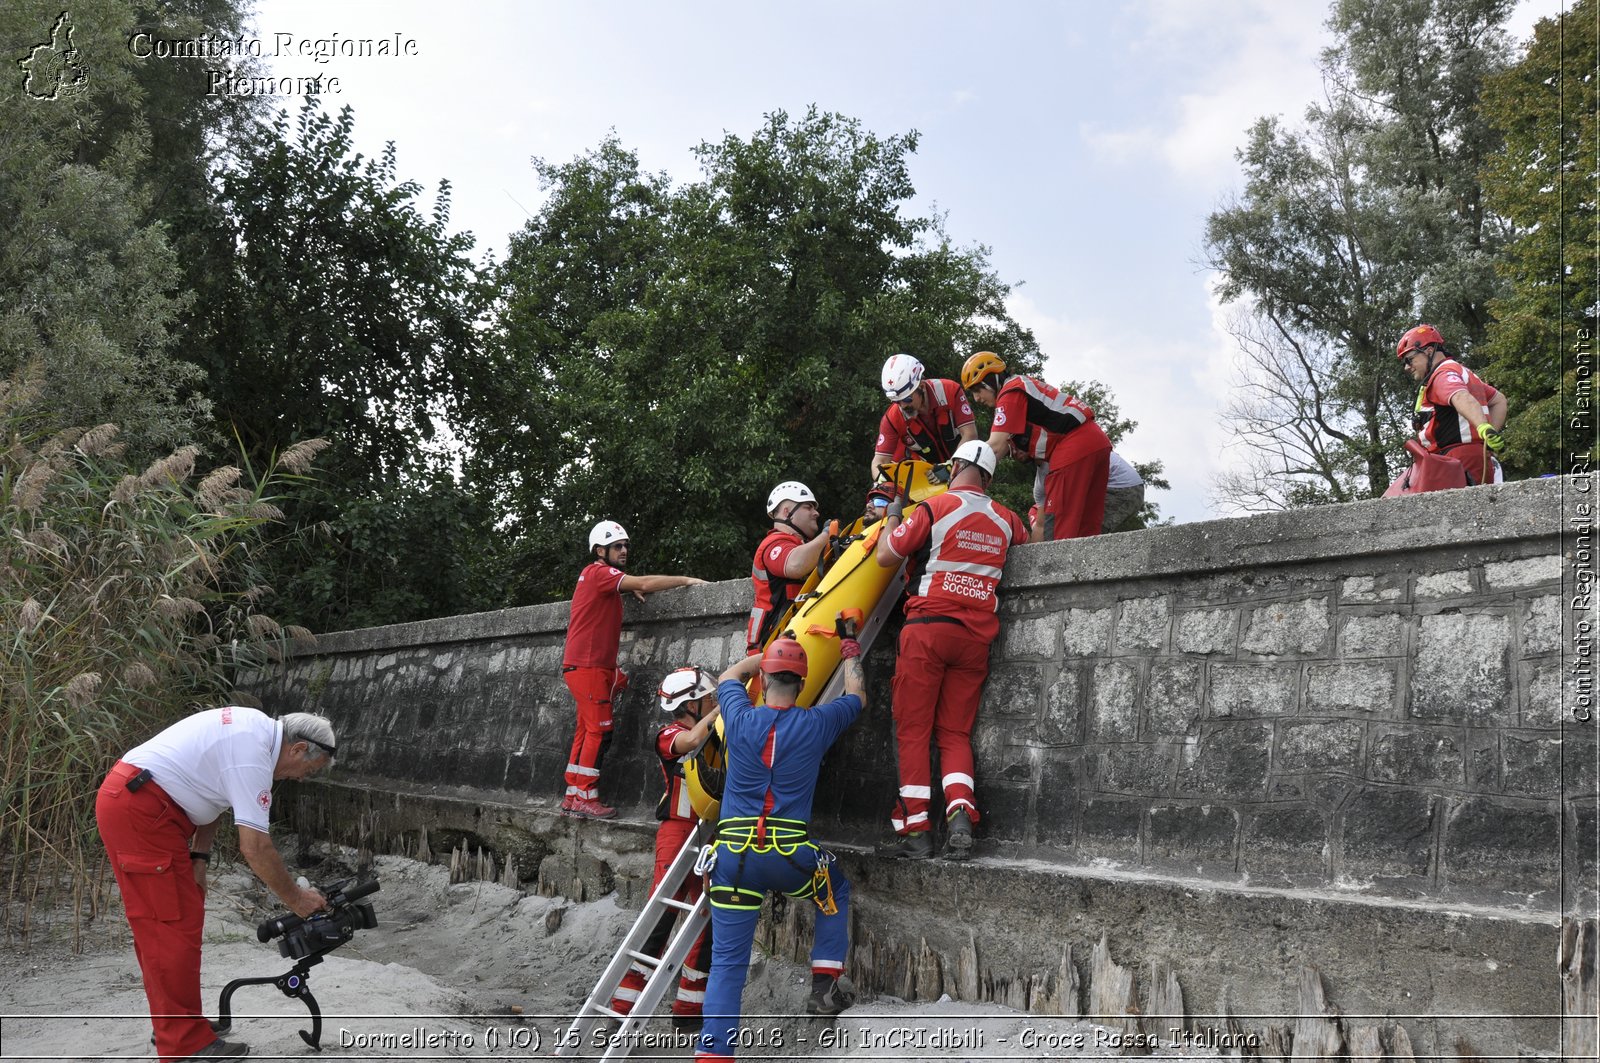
[(801, 739)]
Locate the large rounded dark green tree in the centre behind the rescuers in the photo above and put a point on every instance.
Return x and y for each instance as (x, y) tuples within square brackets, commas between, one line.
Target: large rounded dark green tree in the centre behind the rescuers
[(665, 356)]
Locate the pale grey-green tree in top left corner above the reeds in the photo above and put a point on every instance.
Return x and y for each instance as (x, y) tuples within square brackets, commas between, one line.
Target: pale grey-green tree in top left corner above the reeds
[(90, 286)]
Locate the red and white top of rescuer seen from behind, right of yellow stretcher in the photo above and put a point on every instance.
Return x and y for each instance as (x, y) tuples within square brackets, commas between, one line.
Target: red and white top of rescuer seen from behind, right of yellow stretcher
[(958, 544)]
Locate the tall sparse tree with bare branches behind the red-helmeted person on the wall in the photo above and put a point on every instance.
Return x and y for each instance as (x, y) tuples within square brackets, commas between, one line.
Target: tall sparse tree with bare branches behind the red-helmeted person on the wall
[(1353, 228)]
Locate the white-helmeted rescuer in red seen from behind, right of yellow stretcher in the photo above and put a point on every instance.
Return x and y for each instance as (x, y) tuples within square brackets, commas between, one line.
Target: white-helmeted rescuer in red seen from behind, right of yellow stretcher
[(958, 545)]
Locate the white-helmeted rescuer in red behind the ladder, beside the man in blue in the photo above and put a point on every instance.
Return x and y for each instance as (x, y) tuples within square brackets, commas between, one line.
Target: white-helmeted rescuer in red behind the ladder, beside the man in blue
[(690, 697)]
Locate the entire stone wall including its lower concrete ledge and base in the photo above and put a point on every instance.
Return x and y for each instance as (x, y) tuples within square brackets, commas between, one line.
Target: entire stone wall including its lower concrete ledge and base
[(1338, 740)]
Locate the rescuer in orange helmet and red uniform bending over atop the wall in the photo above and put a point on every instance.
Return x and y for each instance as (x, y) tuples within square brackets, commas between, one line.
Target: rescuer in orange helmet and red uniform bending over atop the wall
[(1055, 431)]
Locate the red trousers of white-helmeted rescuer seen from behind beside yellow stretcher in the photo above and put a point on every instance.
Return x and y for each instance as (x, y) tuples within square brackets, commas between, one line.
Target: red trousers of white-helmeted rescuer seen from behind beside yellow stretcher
[(938, 680)]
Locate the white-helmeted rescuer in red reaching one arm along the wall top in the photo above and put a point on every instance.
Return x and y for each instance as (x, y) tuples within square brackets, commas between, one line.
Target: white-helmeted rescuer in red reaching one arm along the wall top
[(590, 660)]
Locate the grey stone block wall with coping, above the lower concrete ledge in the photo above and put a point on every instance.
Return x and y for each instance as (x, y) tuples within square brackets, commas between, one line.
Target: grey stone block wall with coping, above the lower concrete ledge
[(1367, 697)]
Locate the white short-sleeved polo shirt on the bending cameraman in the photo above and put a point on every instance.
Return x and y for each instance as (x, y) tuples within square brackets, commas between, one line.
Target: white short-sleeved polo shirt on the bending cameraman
[(215, 761)]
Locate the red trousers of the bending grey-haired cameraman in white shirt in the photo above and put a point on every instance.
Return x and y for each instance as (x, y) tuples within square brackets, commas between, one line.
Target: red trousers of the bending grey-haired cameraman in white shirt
[(148, 841)]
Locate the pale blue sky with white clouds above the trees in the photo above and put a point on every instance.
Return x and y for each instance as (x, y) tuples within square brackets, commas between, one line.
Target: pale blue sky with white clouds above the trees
[(1084, 143)]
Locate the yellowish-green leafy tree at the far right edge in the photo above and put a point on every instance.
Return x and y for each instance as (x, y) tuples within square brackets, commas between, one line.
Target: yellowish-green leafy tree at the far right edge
[(1545, 183)]
